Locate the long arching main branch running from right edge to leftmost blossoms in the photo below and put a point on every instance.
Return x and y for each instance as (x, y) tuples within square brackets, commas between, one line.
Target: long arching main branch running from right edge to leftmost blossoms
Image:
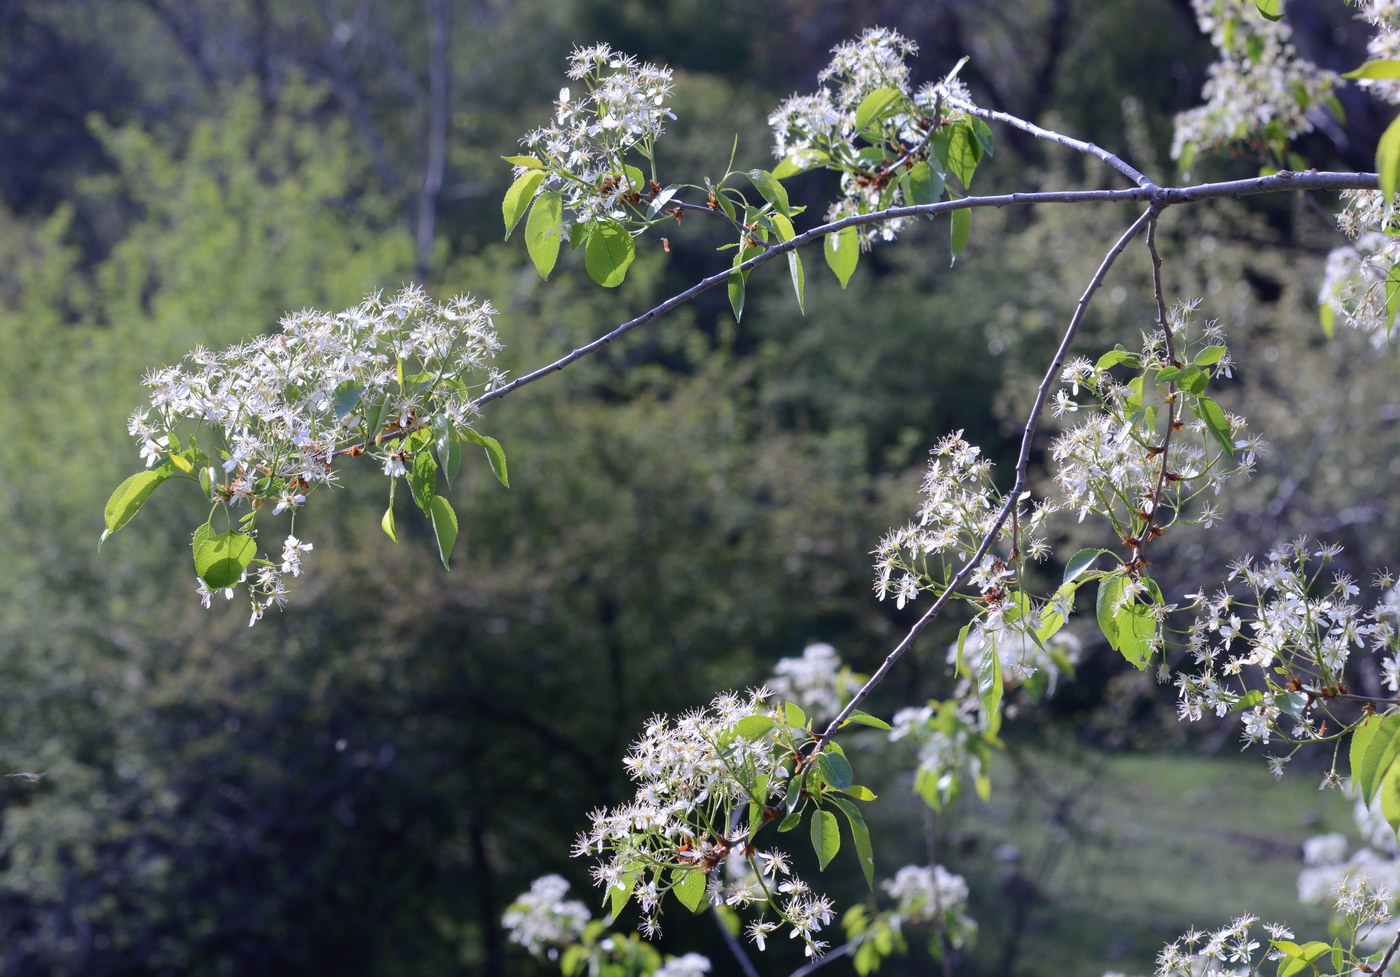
[(1158, 197)]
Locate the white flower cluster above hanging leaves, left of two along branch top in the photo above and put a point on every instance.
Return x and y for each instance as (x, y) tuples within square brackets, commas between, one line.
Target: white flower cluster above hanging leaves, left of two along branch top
[(621, 110)]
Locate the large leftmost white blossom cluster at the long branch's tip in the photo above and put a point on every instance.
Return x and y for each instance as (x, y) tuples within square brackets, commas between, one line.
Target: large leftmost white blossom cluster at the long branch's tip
[(264, 423)]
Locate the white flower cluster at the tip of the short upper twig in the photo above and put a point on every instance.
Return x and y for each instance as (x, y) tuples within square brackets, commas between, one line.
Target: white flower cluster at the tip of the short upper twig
[(818, 129)]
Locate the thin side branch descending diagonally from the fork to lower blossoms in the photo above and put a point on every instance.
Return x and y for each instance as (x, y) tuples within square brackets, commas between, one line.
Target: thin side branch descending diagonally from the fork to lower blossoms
[(1013, 496)]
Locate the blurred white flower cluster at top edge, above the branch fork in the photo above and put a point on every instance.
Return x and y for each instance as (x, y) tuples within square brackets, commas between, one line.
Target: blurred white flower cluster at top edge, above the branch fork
[(1258, 90)]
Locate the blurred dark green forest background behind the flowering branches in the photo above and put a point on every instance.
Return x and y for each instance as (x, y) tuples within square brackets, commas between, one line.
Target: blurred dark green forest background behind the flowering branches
[(367, 780)]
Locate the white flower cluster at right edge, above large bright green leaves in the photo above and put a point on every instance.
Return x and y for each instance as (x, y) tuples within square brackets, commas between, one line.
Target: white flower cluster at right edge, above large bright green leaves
[(1297, 624)]
